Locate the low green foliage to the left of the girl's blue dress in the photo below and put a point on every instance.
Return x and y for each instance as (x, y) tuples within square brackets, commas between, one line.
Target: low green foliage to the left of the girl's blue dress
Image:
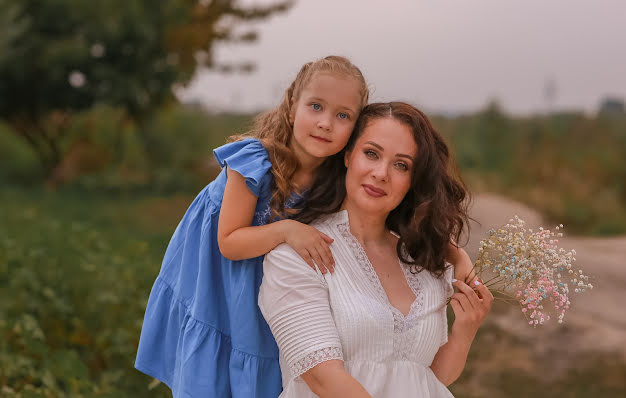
[(74, 280)]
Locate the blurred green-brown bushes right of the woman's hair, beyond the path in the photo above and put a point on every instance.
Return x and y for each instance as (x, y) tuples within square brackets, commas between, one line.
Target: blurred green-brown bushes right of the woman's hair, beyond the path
[(568, 166)]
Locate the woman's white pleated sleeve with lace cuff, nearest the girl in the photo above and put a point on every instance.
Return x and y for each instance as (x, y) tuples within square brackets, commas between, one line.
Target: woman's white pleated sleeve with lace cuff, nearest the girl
[(295, 303)]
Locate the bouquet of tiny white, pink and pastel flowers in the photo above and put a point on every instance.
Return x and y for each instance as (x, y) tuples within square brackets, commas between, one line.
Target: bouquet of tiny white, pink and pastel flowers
[(529, 268)]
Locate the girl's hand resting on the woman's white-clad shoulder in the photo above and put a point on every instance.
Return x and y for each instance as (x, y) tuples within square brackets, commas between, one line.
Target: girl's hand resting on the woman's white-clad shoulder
[(312, 245)]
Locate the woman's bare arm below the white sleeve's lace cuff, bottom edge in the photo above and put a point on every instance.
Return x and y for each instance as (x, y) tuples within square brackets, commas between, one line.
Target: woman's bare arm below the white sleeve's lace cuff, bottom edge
[(329, 379)]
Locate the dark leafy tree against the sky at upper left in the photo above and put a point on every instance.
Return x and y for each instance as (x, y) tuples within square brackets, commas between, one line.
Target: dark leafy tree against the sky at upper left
[(64, 56)]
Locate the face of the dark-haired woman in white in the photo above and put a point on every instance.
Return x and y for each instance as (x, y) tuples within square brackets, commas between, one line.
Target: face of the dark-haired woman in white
[(379, 166)]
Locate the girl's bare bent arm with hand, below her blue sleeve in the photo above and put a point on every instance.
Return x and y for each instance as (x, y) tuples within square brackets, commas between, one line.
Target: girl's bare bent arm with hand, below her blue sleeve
[(238, 240)]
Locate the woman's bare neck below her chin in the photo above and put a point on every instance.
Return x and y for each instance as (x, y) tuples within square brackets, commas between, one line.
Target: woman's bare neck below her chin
[(367, 227)]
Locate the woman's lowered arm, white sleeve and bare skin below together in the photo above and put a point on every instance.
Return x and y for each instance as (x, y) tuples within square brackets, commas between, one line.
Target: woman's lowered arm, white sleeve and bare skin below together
[(295, 302)]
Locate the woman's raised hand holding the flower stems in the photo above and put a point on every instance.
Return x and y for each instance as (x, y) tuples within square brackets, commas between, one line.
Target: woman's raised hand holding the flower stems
[(470, 308)]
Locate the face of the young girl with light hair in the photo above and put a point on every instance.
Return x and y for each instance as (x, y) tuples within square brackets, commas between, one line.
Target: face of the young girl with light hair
[(323, 116)]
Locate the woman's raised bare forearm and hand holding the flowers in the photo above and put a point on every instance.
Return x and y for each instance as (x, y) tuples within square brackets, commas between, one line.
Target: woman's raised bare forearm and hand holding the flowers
[(470, 308)]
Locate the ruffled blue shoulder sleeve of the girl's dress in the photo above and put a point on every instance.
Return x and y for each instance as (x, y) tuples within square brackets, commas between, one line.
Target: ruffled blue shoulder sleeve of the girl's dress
[(247, 157)]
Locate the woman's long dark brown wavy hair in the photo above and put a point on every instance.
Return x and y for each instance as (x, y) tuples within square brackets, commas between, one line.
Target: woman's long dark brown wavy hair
[(434, 210)]
